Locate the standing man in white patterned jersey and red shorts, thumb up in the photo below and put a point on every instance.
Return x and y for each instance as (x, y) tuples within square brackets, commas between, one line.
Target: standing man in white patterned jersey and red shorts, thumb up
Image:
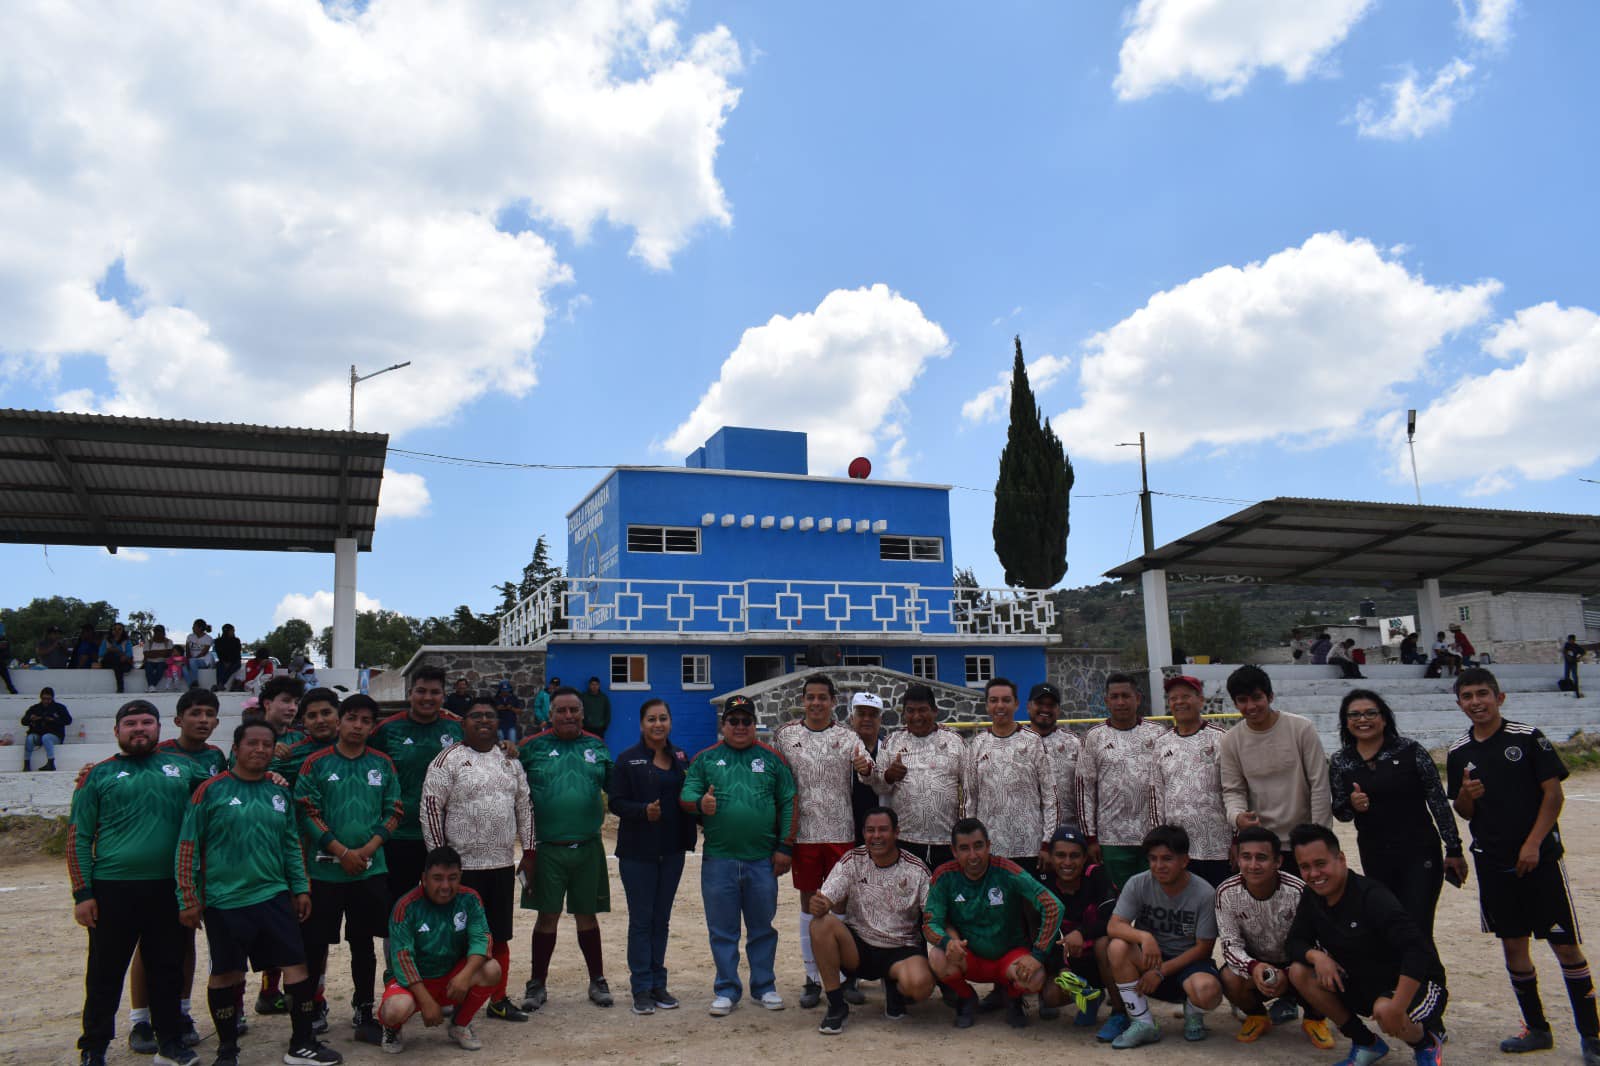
[(826, 759)]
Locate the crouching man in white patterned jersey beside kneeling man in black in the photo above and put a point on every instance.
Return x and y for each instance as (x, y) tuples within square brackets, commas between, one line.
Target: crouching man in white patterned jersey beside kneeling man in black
[(1255, 912)]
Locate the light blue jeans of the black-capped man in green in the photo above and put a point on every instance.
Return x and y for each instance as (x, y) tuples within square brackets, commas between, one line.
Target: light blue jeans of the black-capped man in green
[(735, 889)]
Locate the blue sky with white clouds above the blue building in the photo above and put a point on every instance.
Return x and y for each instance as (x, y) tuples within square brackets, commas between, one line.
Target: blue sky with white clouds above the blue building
[(1257, 234)]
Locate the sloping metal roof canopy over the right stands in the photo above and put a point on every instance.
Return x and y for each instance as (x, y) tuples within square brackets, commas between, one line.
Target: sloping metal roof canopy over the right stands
[(1332, 542)]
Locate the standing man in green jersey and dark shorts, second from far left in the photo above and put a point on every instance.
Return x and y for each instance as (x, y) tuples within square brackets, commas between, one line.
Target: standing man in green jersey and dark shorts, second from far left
[(242, 870)]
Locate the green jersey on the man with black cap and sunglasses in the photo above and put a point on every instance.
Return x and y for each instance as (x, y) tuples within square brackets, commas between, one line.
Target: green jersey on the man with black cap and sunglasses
[(756, 801)]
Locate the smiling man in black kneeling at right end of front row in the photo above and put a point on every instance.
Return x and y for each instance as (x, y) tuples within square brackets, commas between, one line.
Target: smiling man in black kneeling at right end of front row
[(1356, 952)]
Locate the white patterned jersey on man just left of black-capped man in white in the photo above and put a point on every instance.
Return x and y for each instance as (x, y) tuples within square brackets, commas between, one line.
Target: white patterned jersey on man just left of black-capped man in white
[(1012, 790)]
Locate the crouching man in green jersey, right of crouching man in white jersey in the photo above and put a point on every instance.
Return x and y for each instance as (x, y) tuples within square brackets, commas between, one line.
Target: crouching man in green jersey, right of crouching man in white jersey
[(978, 920)]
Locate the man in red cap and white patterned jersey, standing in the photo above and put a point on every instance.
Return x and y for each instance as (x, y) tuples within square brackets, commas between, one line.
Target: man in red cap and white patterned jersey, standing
[(1186, 782)]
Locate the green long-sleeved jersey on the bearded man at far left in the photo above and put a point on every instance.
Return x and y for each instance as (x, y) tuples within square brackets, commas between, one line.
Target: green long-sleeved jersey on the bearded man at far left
[(126, 820)]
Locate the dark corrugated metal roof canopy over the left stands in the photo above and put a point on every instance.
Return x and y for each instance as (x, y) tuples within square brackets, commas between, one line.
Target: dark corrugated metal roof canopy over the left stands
[(154, 483)]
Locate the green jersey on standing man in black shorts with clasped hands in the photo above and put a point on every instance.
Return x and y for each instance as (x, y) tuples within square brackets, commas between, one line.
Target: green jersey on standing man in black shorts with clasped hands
[(350, 801)]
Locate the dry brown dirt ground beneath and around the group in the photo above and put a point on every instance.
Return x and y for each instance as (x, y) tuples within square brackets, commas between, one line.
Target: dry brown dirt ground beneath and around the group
[(39, 1016)]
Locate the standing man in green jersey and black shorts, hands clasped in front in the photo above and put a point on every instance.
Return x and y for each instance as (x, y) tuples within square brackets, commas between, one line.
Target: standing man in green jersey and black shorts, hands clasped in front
[(350, 803)]
